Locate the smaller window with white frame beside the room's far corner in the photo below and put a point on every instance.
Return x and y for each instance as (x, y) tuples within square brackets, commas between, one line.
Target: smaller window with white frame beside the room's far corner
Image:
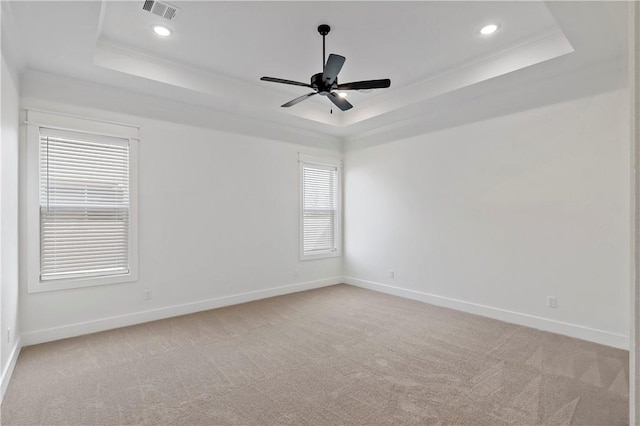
[(320, 207)]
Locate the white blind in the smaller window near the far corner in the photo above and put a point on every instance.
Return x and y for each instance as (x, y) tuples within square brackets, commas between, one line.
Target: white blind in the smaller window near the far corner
[(320, 203)]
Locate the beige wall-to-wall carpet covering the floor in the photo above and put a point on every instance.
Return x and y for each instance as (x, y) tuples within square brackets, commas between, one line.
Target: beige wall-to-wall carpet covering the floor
[(337, 355)]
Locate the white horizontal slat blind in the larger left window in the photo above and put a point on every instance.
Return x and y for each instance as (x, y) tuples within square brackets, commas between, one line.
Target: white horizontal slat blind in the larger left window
[(84, 205)]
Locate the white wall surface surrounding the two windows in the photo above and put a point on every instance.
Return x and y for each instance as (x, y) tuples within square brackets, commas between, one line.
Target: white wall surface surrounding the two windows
[(218, 224)]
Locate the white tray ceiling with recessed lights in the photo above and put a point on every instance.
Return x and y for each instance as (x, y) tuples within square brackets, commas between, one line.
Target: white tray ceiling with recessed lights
[(219, 50)]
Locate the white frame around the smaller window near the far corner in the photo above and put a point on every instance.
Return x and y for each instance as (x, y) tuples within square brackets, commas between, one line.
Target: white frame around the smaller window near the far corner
[(325, 161)]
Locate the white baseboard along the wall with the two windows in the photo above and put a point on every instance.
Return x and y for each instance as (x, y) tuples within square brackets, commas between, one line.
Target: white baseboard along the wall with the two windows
[(94, 326)]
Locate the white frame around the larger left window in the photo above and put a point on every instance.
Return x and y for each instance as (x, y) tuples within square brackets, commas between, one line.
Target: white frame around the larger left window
[(36, 119)]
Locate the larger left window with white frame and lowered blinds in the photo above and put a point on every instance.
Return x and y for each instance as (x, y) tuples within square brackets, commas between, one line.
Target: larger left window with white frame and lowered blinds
[(86, 212)]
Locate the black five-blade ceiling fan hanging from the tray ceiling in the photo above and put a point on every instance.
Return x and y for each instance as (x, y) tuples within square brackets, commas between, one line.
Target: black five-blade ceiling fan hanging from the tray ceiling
[(326, 82)]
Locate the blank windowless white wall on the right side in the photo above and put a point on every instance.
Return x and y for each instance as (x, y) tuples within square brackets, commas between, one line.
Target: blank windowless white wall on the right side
[(494, 216)]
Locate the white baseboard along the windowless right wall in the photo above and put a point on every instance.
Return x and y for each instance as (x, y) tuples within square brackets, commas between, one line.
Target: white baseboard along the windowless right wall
[(572, 330)]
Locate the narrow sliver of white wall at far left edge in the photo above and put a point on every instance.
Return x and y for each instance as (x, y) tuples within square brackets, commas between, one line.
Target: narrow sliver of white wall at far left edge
[(8, 223)]
